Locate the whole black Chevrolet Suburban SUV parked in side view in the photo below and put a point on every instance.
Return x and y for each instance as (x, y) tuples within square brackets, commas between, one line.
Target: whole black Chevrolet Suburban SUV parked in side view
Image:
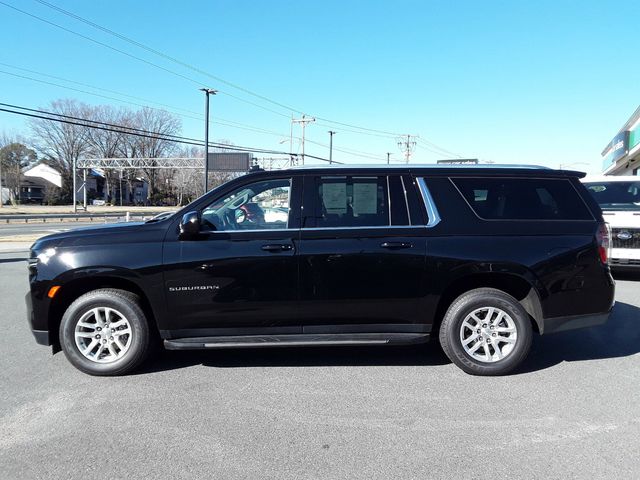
[(479, 257)]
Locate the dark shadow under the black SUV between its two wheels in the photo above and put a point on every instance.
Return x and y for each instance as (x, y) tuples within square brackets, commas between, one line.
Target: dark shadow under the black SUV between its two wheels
[(425, 354)]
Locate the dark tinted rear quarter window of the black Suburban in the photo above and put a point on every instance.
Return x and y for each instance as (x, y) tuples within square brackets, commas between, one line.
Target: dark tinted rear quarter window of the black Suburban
[(501, 198)]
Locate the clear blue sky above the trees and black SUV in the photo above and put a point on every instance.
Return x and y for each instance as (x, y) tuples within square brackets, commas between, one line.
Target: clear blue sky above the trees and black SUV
[(543, 82)]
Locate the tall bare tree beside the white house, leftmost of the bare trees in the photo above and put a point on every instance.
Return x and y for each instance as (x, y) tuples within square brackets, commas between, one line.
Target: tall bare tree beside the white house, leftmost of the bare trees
[(62, 144)]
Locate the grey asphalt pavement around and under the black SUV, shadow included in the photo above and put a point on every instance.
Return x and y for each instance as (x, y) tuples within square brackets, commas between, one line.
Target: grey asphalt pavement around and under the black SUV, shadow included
[(366, 413)]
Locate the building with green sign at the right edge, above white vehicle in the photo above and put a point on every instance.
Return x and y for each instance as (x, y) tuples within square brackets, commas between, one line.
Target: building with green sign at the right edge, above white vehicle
[(622, 154)]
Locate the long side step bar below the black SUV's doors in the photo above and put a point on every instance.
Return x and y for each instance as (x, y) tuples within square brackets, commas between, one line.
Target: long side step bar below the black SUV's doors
[(296, 340)]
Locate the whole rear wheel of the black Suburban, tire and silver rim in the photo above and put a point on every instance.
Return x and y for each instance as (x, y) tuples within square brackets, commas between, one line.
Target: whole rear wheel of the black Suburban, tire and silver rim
[(486, 332)]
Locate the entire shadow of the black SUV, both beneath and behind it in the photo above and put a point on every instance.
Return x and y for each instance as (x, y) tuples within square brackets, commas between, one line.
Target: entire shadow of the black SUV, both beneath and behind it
[(619, 337)]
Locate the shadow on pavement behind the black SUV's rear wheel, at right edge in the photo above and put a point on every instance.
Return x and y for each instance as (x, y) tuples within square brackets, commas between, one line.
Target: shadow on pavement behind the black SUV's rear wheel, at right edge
[(619, 337)]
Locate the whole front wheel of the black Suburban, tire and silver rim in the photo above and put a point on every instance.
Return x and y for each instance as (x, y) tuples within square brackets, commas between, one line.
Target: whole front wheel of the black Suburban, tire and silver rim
[(105, 332)]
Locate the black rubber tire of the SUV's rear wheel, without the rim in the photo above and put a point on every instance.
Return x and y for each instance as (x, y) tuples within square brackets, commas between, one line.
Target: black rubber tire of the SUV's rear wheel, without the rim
[(469, 302)]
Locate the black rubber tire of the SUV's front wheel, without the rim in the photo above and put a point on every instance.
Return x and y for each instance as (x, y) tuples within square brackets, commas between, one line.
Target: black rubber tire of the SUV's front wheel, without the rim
[(128, 305)]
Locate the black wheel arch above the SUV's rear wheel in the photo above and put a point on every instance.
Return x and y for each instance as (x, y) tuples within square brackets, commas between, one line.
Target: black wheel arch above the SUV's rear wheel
[(515, 285)]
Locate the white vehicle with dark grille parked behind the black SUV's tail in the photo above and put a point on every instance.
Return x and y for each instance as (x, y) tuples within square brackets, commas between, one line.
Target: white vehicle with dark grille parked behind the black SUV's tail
[(619, 198)]
